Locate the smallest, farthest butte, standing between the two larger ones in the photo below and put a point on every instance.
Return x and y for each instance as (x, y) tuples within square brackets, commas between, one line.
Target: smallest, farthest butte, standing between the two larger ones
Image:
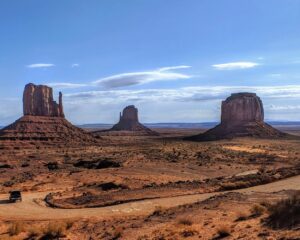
[(129, 122)]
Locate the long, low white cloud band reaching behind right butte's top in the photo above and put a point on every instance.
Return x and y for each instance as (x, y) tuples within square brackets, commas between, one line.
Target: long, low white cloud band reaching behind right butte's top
[(185, 94)]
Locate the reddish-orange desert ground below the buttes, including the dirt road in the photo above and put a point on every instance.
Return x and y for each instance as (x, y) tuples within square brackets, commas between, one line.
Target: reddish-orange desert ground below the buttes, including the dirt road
[(149, 187)]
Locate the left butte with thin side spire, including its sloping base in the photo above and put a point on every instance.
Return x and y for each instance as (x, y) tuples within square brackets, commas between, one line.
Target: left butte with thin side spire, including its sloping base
[(43, 120)]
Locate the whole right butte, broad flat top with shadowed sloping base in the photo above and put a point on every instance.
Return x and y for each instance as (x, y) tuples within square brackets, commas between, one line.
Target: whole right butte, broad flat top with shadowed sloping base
[(242, 115)]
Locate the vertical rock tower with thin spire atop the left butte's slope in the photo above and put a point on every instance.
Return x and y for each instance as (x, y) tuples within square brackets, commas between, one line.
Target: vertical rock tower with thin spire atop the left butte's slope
[(38, 101)]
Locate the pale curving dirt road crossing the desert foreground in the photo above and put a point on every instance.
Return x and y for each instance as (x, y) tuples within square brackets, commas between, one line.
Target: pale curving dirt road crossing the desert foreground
[(33, 208)]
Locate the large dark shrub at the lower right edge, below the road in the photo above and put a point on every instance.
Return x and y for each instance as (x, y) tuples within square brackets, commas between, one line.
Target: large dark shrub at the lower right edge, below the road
[(285, 213)]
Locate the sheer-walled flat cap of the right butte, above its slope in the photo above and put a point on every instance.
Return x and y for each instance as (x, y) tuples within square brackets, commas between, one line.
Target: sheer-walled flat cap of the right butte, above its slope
[(241, 108)]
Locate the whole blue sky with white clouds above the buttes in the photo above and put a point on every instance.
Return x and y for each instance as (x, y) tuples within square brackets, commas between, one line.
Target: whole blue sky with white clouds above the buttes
[(175, 60)]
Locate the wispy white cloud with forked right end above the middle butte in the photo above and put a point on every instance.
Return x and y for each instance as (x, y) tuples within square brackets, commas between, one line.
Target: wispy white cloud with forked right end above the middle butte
[(134, 78)]
